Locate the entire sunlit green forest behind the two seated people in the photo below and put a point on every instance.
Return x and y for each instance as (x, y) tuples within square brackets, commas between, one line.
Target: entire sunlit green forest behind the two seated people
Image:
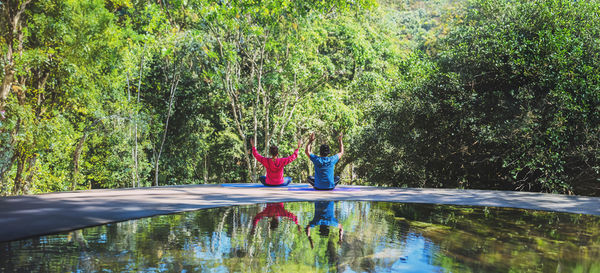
[(483, 94)]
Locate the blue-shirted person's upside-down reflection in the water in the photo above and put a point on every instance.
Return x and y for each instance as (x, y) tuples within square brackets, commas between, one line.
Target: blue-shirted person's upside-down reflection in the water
[(324, 218)]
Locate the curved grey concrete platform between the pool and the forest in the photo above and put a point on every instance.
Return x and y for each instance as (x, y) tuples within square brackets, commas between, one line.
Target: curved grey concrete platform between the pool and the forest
[(26, 216)]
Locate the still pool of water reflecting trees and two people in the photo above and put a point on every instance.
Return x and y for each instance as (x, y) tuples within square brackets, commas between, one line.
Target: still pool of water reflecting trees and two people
[(324, 237)]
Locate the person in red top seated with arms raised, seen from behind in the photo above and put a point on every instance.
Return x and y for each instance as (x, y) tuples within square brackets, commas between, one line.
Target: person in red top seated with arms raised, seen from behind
[(274, 165)]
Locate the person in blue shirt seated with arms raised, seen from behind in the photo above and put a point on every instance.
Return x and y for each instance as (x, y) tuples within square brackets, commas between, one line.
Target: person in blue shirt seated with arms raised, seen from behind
[(324, 165)]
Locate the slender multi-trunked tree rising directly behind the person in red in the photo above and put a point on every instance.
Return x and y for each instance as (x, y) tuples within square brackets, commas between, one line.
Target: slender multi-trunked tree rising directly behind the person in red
[(255, 47)]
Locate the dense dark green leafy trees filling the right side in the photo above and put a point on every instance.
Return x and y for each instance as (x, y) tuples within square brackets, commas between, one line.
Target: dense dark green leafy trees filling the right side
[(511, 103)]
